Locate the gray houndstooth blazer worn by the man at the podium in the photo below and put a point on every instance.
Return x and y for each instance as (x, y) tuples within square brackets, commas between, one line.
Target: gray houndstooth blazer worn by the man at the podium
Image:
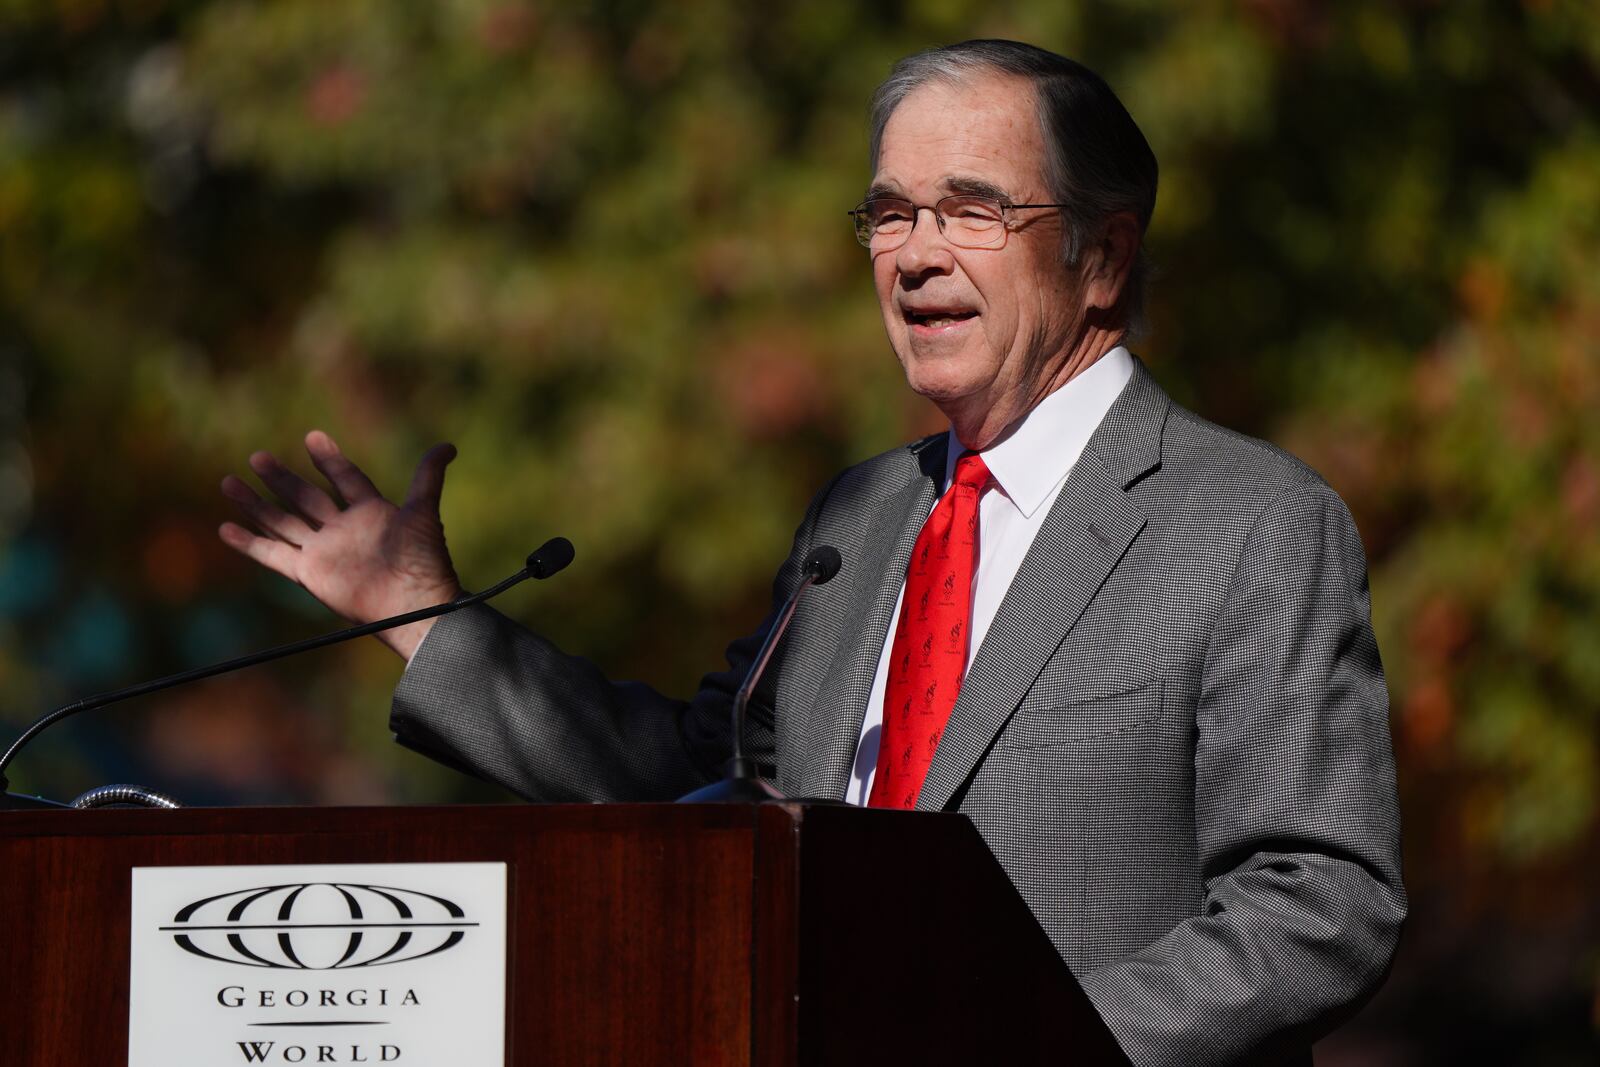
[(1175, 737)]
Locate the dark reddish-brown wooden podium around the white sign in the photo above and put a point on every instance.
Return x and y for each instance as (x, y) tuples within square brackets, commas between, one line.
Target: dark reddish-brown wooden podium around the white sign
[(698, 935)]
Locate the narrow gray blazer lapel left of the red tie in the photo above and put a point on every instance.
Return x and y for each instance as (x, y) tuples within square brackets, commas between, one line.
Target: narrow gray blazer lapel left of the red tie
[(833, 730)]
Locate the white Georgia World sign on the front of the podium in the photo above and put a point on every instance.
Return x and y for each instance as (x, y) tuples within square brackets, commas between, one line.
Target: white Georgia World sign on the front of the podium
[(327, 964)]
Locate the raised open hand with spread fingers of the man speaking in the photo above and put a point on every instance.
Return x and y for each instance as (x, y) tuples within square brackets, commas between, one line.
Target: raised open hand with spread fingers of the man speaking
[(367, 561)]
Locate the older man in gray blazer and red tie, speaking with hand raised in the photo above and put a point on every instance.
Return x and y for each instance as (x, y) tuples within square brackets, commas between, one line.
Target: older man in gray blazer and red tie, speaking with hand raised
[(1130, 645)]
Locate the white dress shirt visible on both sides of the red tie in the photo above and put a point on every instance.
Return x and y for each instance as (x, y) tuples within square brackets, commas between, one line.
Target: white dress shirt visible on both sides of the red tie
[(1030, 470)]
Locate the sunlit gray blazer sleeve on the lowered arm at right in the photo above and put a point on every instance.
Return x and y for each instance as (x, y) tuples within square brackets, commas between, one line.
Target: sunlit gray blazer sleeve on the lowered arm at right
[(1297, 817)]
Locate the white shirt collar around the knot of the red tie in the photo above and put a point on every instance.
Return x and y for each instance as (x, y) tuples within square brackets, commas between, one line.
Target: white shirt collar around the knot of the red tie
[(1039, 455)]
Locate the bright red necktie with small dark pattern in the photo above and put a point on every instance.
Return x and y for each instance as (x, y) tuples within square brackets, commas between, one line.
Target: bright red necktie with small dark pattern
[(930, 645)]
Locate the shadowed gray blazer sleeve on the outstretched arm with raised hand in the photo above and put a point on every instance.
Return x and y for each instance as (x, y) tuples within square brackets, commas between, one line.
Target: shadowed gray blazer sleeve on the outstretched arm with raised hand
[(498, 701)]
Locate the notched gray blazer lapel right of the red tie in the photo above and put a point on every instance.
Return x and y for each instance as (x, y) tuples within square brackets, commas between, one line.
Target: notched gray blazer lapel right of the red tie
[(1086, 535)]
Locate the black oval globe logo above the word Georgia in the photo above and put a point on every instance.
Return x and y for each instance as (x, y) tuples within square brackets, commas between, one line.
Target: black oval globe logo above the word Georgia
[(319, 927)]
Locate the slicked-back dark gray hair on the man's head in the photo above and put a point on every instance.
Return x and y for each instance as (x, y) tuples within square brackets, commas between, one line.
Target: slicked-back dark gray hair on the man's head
[(1097, 159)]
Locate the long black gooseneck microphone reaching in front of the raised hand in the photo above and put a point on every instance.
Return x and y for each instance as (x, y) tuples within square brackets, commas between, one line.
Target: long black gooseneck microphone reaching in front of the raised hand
[(543, 562)]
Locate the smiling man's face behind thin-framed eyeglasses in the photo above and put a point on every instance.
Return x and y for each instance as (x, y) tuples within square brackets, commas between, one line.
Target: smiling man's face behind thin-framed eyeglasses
[(980, 332)]
